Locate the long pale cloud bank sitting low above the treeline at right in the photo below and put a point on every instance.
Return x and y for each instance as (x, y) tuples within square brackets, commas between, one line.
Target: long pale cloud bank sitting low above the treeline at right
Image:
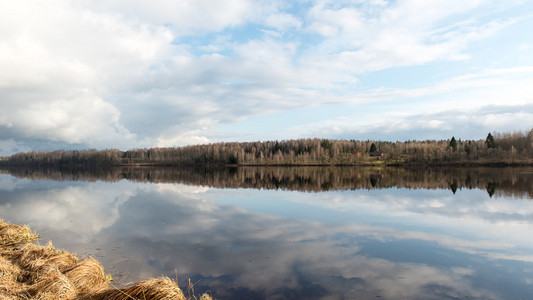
[(467, 106)]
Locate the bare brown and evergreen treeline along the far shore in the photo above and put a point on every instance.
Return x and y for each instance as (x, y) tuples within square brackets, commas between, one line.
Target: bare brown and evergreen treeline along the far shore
[(498, 148)]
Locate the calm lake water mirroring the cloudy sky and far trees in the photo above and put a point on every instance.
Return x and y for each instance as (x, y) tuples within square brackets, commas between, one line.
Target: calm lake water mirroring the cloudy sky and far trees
[(292, 233)]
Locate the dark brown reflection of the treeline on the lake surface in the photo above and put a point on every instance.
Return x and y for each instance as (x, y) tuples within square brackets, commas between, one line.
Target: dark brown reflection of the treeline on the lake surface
[(511, 181)]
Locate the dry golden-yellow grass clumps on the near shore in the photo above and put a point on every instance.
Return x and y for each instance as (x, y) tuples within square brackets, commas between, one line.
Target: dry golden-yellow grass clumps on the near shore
[(31, 271)]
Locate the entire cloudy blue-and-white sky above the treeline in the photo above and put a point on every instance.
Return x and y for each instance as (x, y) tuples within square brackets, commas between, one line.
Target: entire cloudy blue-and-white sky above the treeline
[(162, 73)]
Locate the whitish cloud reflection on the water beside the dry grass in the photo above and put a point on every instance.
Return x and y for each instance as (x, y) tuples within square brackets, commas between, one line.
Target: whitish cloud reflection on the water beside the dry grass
[(85, 209)]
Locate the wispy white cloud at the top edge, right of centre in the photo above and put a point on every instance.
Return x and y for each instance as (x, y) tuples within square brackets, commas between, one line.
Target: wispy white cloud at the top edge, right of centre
[(375, 37)]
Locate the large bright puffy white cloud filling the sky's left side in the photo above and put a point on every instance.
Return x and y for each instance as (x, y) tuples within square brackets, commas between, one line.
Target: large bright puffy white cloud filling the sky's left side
[(59, 65)]
